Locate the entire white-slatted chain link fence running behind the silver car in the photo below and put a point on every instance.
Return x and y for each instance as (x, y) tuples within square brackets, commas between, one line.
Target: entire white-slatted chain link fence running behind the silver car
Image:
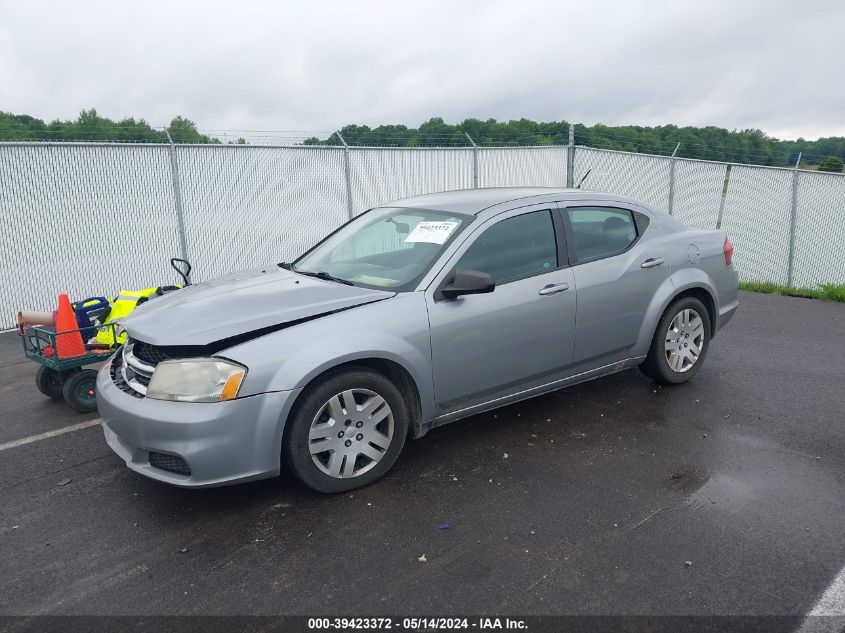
[(88, 218)]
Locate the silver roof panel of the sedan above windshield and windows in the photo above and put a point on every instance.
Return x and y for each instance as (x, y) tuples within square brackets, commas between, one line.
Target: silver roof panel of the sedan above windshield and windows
[(474, 201)]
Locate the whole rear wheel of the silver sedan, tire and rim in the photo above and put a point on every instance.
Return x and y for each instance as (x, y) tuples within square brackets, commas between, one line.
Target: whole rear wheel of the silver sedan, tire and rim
[(680, 342)]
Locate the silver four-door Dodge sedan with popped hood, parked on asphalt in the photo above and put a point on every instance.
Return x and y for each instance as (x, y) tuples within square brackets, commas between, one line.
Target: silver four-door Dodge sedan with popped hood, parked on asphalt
[(412, 315)]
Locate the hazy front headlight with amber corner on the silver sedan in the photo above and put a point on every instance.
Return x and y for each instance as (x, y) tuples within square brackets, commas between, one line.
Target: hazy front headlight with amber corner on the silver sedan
[(196, 380)]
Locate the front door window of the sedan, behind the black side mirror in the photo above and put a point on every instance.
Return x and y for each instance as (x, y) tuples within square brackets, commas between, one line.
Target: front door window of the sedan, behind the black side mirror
[(515, 248)]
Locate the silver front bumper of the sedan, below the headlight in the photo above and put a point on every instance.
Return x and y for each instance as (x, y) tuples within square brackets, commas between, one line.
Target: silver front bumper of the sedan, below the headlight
[(222, 442)]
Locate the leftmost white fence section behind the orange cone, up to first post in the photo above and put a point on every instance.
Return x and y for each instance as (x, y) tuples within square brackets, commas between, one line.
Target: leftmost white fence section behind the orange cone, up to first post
[(83, 219)]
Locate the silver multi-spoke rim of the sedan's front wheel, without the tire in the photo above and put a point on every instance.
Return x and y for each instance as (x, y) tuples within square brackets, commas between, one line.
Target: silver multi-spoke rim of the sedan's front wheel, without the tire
[(351, 433)]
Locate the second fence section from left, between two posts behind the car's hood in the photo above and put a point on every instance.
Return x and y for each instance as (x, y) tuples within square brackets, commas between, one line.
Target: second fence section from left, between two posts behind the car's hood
[(247, 206)]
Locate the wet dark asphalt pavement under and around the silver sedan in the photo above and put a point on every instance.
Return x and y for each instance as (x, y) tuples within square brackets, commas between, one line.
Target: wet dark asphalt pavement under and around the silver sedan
[(721, 496)]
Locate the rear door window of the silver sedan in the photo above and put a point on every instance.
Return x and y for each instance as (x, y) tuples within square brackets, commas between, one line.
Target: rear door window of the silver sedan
[(601, 231)]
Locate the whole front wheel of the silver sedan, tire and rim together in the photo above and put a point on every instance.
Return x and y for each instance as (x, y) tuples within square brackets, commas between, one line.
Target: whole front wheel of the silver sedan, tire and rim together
[(347, 431)]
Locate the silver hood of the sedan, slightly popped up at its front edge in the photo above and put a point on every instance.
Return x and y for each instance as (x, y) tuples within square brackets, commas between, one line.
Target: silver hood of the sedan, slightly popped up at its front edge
[(241, 303)]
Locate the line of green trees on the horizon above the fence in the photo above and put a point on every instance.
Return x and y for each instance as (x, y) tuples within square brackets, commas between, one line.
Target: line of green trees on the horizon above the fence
[(708, 143)]
